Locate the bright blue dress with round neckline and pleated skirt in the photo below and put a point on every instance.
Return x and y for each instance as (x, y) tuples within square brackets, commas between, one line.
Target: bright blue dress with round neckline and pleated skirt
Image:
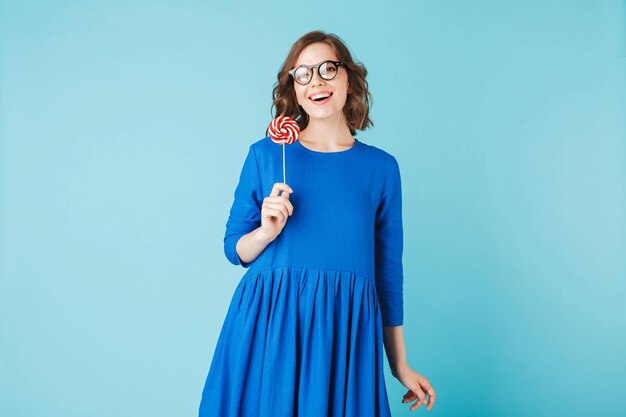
[(303, 332)]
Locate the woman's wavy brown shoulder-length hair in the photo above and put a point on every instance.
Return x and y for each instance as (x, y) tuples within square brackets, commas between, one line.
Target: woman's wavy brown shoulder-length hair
[(356, 109)]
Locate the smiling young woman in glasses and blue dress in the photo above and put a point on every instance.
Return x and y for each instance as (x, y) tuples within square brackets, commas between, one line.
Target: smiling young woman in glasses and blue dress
[(322, 293)]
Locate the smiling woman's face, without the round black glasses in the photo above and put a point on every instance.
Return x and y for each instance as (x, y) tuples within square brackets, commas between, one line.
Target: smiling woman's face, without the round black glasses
[(315, 54)]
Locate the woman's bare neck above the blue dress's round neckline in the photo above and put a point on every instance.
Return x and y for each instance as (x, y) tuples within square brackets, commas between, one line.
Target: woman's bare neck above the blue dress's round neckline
[(327, 135)]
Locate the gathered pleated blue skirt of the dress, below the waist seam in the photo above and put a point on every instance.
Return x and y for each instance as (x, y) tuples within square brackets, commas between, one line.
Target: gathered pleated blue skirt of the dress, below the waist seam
[(318, 356)]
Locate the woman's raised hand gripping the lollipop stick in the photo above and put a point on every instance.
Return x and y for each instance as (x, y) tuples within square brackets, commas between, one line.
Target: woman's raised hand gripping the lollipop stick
[(275, 211)]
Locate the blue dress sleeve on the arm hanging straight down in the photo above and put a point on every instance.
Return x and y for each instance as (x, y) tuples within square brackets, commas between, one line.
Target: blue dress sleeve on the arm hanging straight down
[(388, 248)]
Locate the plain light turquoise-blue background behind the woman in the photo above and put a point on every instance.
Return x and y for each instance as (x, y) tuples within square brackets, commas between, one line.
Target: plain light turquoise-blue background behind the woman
[(124, 126)]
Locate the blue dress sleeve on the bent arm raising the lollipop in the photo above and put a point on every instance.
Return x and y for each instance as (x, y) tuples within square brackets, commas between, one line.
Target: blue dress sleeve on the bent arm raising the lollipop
[(245, 213)]
